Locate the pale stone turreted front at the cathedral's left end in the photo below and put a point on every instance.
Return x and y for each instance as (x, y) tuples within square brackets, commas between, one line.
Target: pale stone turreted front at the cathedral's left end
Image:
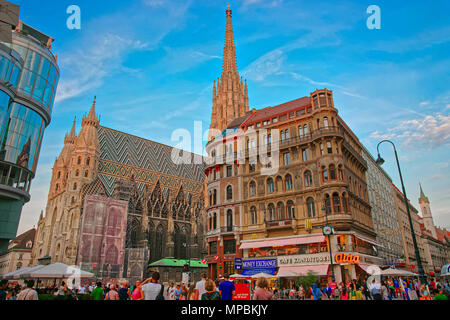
[(57, 234)]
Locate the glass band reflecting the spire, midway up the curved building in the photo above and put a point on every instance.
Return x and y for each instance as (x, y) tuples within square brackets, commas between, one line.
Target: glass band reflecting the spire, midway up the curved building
[(21, 136)]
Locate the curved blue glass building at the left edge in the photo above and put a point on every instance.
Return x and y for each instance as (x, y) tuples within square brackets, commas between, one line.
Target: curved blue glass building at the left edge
[(29, 76)]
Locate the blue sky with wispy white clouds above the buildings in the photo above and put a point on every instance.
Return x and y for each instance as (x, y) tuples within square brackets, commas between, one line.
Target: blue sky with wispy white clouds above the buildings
[(151, 64)]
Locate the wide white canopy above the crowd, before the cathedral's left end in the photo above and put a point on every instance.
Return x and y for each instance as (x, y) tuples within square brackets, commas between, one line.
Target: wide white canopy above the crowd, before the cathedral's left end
[(56, 271)]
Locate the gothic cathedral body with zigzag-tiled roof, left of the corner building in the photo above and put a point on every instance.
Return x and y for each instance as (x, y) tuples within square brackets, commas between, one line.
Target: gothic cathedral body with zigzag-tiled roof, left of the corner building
[(164, 199)]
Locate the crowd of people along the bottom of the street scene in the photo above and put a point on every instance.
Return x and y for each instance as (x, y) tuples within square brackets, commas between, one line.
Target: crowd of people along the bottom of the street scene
[(208, 289)]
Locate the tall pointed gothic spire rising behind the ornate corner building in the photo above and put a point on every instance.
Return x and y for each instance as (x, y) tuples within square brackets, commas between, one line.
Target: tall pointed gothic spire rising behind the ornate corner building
[(230, 96)]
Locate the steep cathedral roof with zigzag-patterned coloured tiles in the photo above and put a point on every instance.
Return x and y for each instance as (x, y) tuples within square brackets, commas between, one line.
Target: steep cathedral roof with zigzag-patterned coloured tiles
[(124, 156)]
